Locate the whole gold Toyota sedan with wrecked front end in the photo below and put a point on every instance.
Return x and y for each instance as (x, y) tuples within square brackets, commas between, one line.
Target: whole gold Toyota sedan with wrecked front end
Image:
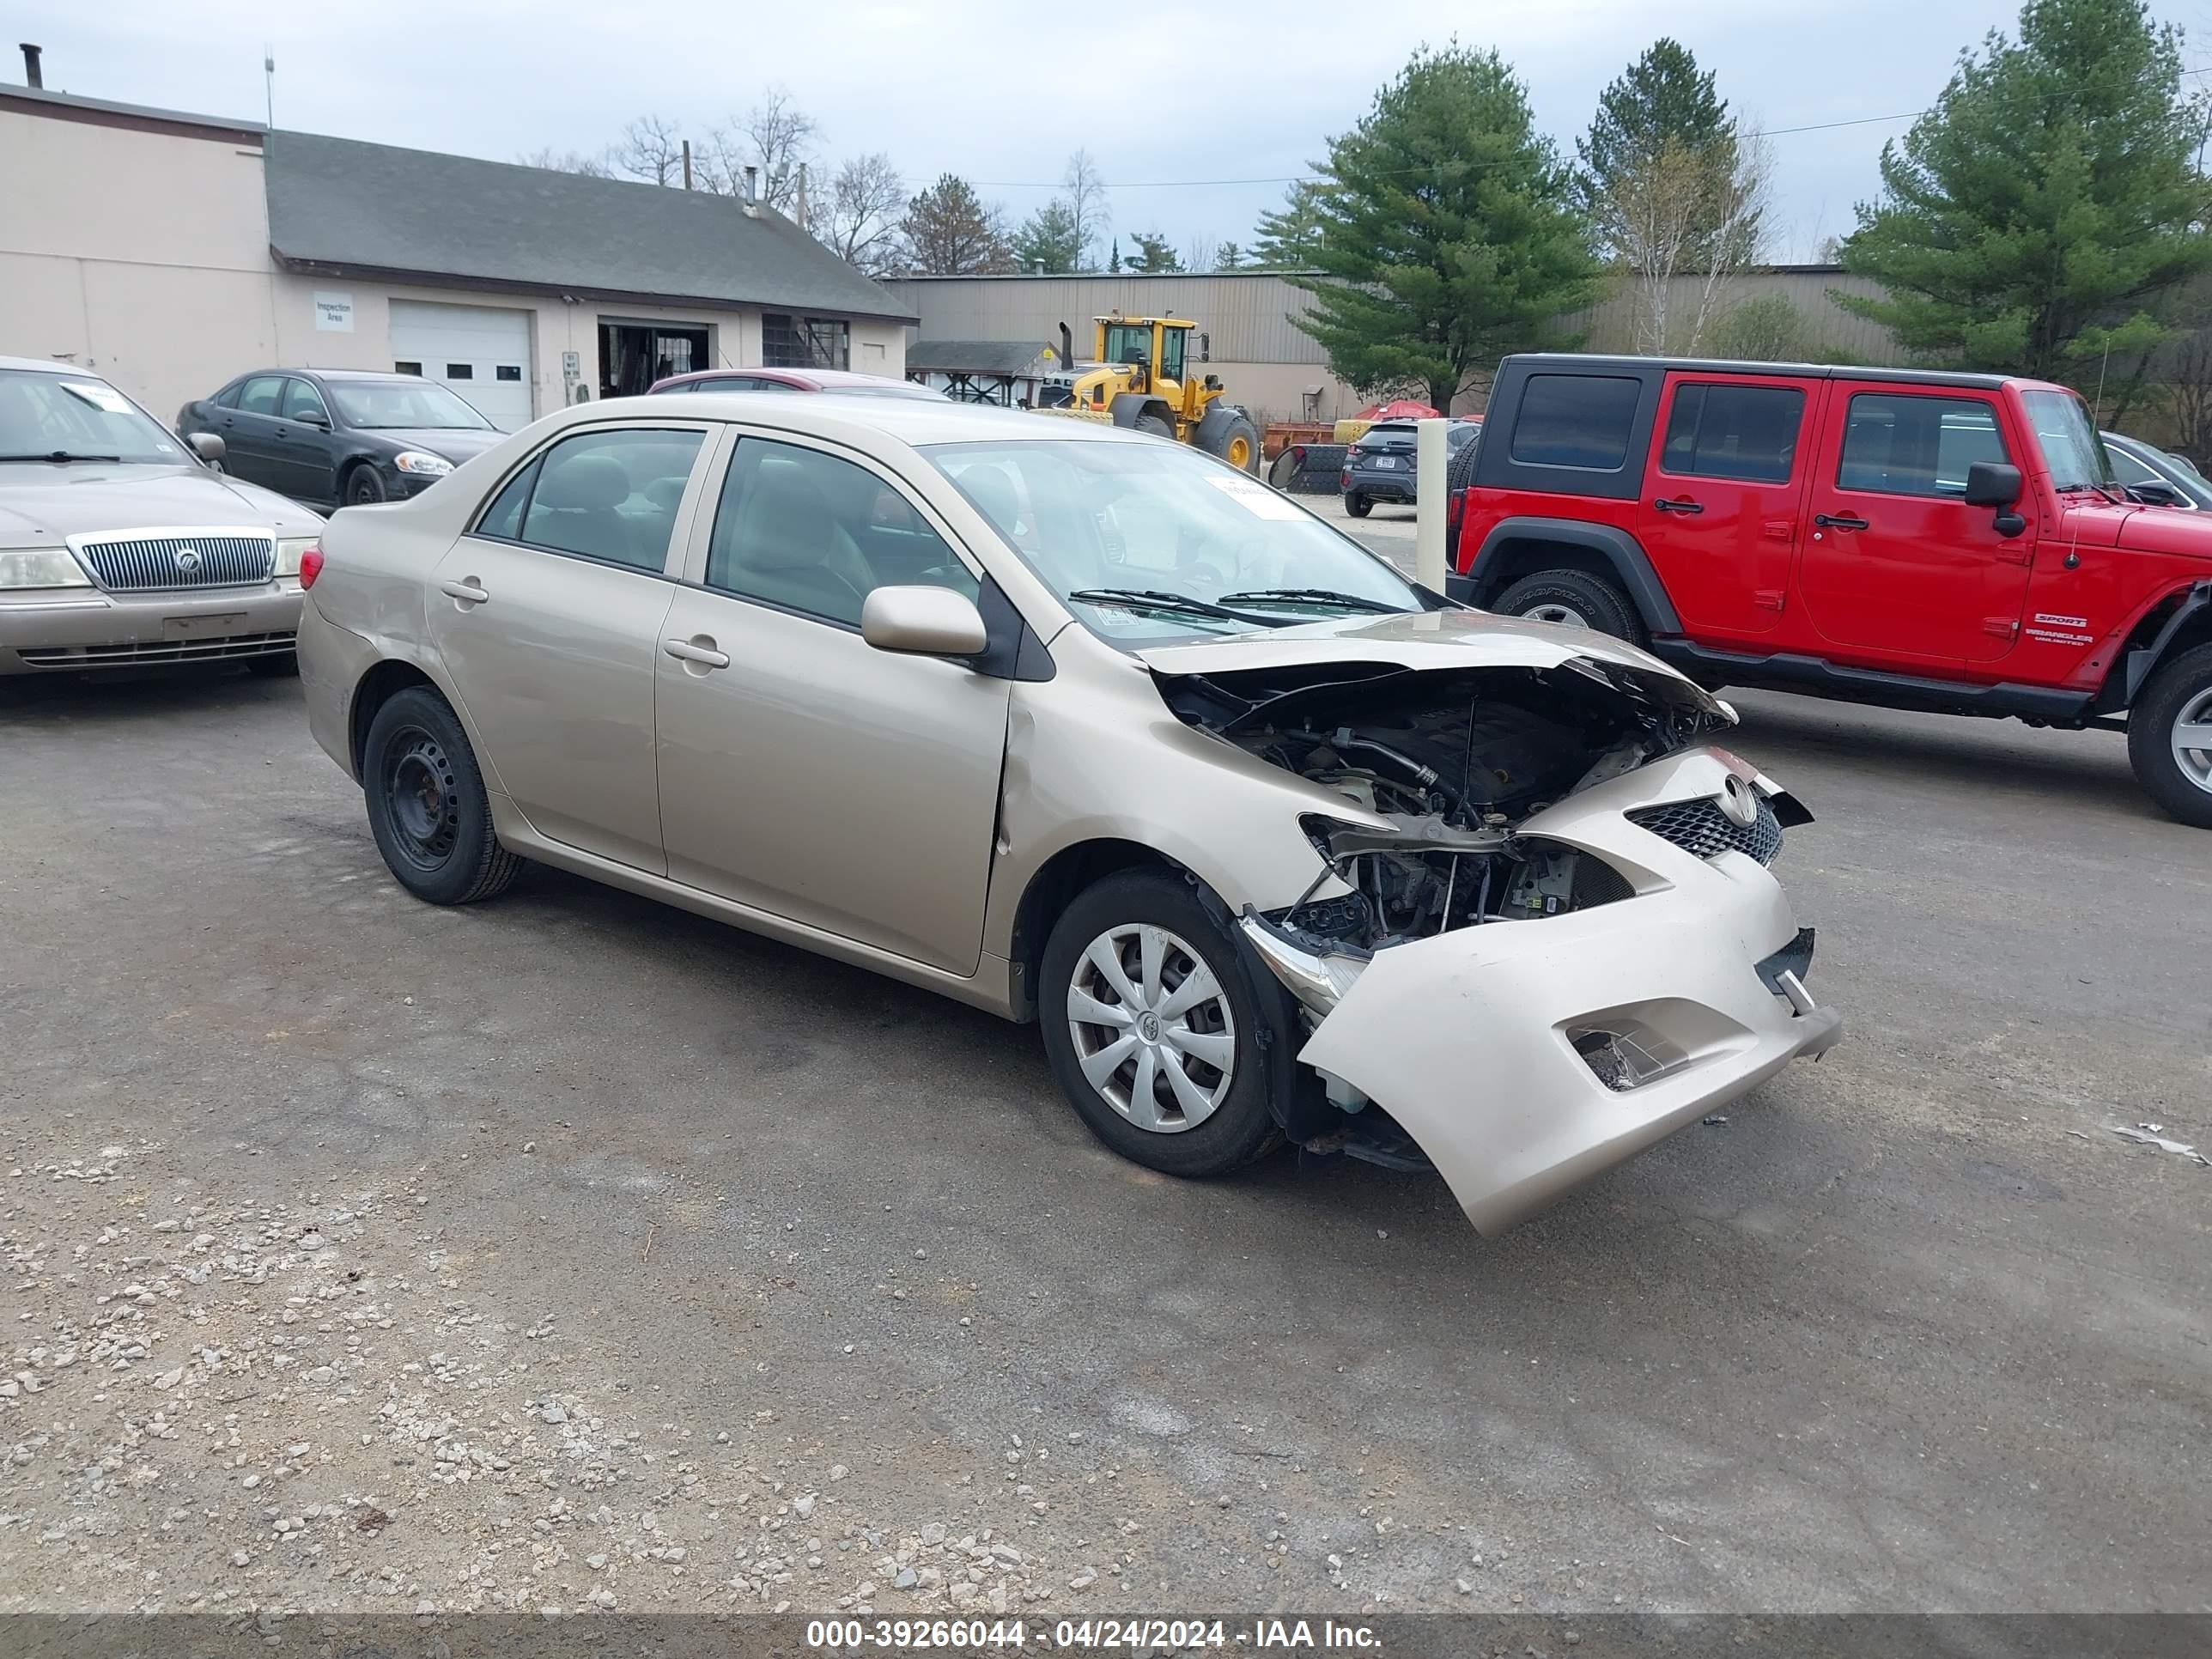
[(1085, 729)]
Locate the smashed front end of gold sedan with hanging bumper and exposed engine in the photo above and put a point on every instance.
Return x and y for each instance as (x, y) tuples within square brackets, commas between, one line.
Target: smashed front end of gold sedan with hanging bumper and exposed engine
[(1523, 954)]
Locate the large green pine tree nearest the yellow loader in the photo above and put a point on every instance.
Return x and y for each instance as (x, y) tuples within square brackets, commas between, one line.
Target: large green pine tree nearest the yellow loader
[(1450, 236)]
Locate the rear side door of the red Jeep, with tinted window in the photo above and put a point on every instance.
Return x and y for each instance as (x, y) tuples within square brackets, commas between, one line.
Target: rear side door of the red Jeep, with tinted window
[(1722, 497)]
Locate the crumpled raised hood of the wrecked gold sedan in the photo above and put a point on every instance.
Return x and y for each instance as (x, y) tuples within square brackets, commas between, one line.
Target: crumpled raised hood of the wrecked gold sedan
[(1412, 640)]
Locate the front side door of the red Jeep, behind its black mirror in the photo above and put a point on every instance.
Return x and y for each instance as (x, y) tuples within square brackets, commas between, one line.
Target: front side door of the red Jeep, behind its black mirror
[(1897, 567)]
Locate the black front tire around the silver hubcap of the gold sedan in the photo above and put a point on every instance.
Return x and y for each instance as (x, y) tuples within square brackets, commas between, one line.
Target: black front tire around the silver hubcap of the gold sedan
[(1244, 1123)]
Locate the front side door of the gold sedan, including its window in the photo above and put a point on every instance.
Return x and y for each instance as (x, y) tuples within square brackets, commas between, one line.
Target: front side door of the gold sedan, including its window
[(806, 773)]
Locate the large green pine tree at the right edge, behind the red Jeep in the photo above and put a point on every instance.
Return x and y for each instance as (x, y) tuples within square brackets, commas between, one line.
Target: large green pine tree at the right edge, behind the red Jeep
[(2034, 218)]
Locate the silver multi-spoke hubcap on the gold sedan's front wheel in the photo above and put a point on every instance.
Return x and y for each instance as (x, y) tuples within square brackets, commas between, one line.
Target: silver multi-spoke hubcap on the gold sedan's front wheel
[(1154, 1027)]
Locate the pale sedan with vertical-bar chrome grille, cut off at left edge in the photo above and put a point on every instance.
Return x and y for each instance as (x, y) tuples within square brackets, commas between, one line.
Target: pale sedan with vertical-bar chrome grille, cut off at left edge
[(125, 547)]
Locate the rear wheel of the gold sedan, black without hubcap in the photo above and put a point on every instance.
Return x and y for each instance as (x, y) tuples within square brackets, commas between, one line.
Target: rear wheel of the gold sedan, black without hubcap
[(428, 804)]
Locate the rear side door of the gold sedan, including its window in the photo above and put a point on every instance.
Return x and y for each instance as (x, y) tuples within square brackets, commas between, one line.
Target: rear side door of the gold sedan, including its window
[(550, 616)]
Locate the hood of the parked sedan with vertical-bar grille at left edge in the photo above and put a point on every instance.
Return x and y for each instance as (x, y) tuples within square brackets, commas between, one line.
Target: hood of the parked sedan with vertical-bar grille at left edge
[(43, 505)]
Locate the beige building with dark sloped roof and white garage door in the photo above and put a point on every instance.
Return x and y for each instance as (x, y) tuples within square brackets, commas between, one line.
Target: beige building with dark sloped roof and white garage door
[(176, 251)]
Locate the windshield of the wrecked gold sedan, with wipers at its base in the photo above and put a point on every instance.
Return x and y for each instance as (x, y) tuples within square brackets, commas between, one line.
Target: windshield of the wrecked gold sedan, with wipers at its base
[(1156, 543)]
